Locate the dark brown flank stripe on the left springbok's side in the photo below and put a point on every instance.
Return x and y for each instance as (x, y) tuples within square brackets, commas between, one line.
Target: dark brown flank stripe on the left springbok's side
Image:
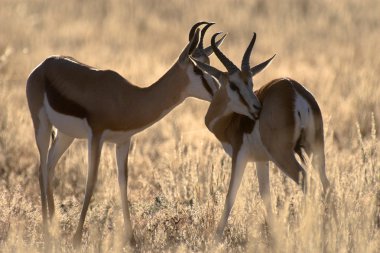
[(62, 104)]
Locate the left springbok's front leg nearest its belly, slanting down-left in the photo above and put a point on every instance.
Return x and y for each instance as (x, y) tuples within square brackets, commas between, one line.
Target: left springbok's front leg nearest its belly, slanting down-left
[(94, 151)]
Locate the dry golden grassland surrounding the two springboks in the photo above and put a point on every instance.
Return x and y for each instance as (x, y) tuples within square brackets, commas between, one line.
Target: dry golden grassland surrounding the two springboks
[(178, 171)]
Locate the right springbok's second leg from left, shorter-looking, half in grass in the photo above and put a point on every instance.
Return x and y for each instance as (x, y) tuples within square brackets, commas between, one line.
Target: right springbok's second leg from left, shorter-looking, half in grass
[(262, 169)]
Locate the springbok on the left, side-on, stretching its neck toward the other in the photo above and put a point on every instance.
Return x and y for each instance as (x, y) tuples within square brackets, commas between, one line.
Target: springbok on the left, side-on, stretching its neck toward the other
[(101, 106)]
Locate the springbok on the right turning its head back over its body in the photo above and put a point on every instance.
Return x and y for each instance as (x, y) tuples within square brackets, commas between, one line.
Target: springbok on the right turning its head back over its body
[(289, 120)]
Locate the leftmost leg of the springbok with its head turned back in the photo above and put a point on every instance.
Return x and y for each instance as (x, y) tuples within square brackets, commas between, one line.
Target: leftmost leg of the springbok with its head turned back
[(239, 161)]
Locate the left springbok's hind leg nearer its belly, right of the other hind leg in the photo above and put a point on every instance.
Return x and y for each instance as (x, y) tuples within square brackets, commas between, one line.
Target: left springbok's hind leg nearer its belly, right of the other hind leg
[(57, 149)]
